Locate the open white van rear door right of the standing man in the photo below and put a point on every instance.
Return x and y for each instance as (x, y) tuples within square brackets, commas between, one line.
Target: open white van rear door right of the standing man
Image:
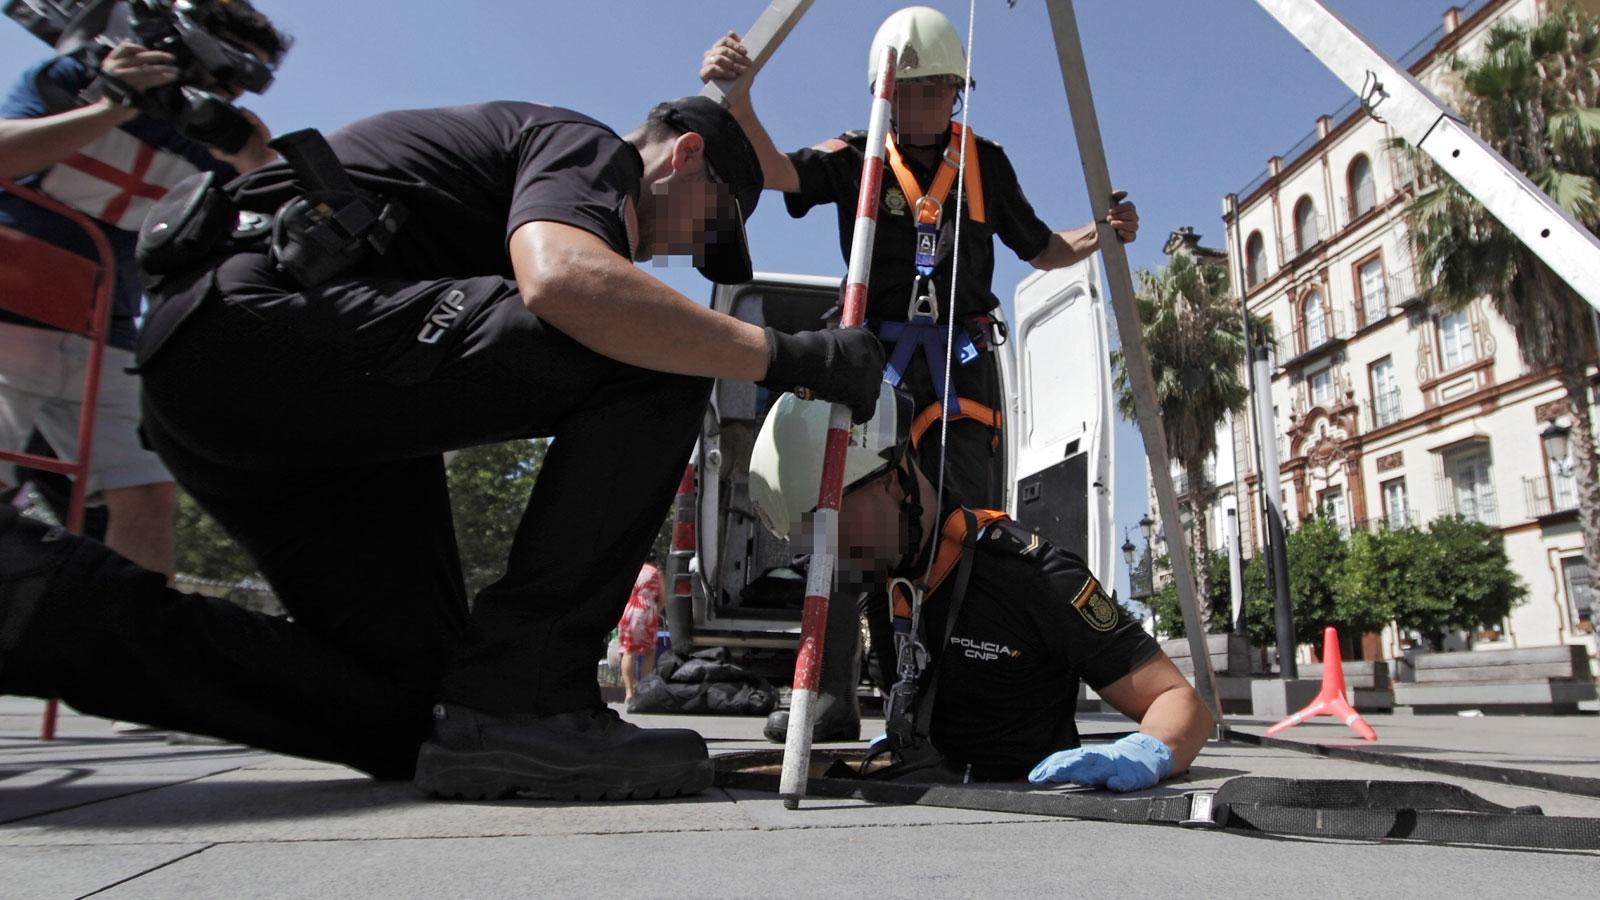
[(1060, 412)]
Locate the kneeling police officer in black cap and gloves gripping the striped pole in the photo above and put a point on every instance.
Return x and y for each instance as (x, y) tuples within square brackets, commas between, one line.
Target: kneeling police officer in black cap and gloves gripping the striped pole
[(420, 283)]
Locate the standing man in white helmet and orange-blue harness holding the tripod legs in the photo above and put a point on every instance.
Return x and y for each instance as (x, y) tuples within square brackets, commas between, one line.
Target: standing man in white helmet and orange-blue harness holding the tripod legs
[(911, 292)]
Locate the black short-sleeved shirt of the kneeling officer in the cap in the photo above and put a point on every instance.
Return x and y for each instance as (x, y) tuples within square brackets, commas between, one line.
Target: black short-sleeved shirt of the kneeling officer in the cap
[(471, 175)]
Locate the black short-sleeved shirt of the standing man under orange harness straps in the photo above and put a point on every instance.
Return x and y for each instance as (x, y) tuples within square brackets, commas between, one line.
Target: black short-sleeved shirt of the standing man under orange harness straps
[(831, 174)]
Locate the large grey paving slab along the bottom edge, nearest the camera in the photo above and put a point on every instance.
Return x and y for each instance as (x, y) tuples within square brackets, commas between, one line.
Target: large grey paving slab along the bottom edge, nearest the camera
[(938, 861)]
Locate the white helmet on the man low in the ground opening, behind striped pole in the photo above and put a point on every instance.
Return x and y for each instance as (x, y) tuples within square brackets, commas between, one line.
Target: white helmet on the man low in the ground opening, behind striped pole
[(786, 464)]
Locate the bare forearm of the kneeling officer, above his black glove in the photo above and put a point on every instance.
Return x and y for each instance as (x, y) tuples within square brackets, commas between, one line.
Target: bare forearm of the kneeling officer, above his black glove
[(578, 284)]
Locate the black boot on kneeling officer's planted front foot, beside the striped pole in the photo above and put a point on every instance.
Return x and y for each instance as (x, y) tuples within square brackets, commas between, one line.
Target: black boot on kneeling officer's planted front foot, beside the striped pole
[(588, 757)]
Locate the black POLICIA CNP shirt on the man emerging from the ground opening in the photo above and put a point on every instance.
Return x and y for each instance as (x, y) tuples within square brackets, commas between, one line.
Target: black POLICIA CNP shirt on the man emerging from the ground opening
[(1033, 625)]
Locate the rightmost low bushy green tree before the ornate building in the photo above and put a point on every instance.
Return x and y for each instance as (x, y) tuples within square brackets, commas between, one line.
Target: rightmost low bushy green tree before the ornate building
[(1466, 581)]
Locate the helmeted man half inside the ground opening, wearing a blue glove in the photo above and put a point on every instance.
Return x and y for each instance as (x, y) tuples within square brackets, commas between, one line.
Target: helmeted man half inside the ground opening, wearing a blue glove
[(994, 627)]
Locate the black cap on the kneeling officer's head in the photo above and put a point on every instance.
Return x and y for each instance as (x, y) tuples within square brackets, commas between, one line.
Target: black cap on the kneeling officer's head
[(732, 161)]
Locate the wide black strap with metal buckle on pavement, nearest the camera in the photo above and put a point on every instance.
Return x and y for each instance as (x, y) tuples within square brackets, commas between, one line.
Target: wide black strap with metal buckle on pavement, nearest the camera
[(1343, 810)]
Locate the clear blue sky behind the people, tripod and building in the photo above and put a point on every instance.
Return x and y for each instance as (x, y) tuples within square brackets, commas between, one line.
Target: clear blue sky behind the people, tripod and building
[(1193, 97)]
